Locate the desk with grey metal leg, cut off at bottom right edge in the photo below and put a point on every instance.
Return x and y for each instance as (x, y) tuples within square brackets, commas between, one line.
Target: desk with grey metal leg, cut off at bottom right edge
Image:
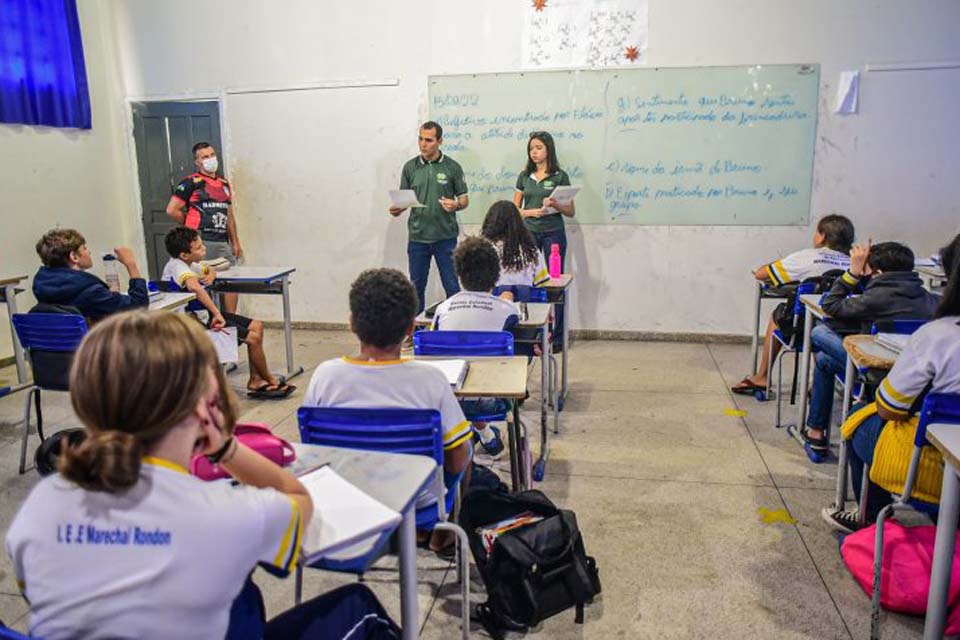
[(946, 438)]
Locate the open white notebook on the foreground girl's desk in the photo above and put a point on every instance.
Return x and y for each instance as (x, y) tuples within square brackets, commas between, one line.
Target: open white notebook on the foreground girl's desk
[(346, 521)]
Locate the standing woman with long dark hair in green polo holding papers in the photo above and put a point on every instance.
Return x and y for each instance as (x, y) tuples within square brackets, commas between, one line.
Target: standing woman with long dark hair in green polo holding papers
[(534, 186)]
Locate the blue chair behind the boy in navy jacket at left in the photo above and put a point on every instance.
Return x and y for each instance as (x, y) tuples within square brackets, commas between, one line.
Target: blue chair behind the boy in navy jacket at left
[(50, 340)]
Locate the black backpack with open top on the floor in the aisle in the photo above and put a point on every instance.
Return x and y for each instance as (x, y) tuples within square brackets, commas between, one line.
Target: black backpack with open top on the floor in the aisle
[(532, 572)]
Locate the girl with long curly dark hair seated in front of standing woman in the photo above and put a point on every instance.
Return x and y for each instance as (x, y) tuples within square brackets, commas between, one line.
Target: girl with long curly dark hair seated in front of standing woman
[(521, 261)]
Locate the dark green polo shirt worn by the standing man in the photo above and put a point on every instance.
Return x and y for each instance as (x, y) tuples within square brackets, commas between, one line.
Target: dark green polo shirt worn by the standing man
[(442, 178)]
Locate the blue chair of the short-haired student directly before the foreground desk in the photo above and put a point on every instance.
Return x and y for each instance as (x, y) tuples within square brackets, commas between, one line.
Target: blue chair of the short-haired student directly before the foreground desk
[(407, 431)]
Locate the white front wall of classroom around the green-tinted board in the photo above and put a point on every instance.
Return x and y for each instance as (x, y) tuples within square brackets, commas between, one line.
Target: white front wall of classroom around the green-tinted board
[(311, 168)]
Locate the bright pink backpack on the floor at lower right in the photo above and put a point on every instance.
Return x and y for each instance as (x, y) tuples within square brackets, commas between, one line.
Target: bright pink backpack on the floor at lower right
[(907, 561)]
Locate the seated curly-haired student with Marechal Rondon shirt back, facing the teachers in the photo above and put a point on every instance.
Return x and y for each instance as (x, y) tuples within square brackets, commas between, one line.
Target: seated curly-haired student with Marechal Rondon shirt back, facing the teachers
[(475, 308)]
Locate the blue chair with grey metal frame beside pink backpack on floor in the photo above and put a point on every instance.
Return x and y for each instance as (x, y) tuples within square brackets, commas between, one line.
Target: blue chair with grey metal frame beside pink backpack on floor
[(938, 408)]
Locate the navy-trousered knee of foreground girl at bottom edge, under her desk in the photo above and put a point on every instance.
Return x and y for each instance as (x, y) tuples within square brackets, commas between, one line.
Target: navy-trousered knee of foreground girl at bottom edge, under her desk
[(352, 611)]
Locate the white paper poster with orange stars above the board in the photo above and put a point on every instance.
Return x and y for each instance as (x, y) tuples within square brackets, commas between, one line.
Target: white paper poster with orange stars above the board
[(584, 33)]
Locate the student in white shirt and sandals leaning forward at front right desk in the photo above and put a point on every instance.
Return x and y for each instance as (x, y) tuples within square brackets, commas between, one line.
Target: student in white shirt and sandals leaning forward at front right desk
[(831, 251)]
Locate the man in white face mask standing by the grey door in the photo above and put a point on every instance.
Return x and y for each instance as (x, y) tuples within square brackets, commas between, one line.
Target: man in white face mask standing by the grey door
[(203, 201)]
